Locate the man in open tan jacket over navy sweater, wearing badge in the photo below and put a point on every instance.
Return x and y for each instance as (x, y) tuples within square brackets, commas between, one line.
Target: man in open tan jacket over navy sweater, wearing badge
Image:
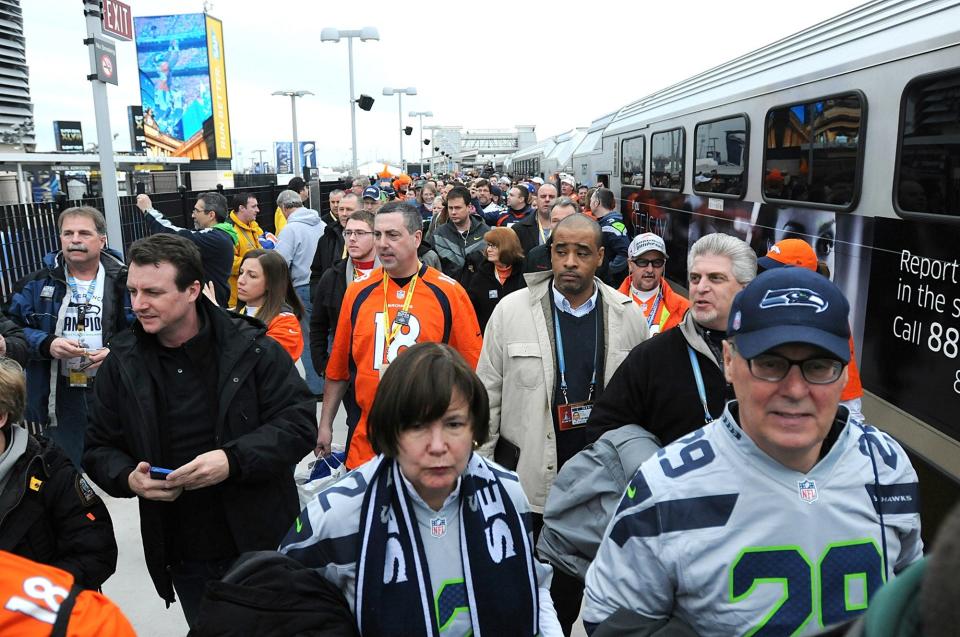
[(548, 352)]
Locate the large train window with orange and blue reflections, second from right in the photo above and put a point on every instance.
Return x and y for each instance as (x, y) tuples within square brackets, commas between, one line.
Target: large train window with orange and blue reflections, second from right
[(813, 151)]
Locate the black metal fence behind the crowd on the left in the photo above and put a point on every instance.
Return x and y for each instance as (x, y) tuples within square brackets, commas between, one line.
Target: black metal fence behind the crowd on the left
[(29, 231)]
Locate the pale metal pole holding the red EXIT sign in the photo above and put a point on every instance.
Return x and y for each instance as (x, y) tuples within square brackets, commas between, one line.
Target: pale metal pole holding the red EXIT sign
[(108, 171)]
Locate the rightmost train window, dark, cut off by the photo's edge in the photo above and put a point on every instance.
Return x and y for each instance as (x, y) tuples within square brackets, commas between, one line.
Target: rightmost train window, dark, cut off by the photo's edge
[(929, 157)]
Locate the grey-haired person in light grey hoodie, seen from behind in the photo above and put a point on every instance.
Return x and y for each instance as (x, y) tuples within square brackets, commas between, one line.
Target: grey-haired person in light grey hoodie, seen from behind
[(297, 244)]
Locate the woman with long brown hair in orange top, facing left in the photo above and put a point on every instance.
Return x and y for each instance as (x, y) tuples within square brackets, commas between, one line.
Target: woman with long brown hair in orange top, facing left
[(264, 291)]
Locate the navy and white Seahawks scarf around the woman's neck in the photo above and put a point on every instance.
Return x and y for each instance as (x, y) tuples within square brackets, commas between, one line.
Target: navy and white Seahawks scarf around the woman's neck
[(394, 596)]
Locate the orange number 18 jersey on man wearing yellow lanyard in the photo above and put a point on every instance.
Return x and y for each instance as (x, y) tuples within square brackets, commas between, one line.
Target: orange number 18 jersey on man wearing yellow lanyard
[(440, 311)]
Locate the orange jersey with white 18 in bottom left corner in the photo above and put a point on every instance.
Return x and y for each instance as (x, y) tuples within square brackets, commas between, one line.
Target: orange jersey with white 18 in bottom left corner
[(32, 594)]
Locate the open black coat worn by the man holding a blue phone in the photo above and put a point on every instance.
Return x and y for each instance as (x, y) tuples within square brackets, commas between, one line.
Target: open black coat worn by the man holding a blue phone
[(266, 423)]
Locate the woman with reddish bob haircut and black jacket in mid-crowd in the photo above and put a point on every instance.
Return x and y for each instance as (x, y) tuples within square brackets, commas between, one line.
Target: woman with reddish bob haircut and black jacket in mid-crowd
[(499, 274)]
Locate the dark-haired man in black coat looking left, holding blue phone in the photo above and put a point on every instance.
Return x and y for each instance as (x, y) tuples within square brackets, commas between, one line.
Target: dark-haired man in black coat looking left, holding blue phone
[(208, 395)]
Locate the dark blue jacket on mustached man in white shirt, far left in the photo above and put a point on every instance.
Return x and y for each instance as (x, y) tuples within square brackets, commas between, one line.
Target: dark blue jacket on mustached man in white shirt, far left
[(36, 307)]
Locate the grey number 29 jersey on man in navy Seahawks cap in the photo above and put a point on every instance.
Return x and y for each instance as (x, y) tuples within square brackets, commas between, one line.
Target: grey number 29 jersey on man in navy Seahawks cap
[(714, 531)]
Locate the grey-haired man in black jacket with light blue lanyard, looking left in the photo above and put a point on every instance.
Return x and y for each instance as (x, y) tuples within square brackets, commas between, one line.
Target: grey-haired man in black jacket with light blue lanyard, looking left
[(656, 387)]
